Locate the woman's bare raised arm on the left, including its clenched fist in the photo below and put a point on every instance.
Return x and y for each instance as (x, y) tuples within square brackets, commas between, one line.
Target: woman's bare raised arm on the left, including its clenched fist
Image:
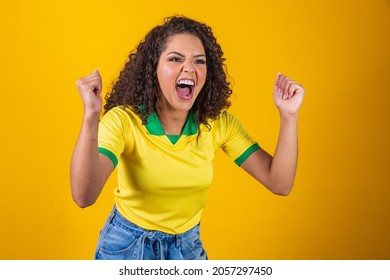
[(89, 169)]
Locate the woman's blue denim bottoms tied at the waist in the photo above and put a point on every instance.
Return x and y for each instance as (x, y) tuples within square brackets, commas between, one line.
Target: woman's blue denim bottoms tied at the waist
[(120, 239)]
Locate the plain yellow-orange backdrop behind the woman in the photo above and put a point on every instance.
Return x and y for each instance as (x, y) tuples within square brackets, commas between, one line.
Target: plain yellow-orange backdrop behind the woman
[(339, 208)]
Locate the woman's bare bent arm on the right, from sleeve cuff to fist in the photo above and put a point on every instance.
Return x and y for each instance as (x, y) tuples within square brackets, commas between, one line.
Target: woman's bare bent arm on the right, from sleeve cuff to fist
[(277, 173)]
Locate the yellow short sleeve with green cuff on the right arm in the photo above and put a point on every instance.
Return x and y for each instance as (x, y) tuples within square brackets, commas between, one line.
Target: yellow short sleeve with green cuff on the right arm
[(238, 144)]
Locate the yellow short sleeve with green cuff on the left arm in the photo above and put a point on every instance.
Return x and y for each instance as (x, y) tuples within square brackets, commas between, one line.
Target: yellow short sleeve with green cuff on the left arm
[(111, 136)]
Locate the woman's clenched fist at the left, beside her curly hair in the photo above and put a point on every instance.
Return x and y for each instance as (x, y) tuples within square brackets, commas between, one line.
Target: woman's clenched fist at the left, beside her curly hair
[(90, 88)]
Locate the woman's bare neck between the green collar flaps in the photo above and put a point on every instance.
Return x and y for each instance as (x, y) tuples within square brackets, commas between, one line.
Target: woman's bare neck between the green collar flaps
[(172, 121)]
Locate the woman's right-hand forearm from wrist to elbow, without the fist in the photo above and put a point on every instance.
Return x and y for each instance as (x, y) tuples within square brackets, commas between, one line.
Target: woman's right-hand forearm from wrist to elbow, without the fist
[(284, 163)]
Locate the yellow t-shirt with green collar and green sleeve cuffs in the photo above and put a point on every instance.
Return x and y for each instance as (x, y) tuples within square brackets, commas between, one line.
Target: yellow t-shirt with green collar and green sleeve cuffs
[(163, 180)]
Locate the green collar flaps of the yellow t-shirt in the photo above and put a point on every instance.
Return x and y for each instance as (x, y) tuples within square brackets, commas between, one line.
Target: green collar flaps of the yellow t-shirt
[(154, 126)]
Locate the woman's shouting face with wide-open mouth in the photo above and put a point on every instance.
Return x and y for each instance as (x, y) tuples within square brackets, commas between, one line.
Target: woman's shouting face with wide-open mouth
[(181, 72)]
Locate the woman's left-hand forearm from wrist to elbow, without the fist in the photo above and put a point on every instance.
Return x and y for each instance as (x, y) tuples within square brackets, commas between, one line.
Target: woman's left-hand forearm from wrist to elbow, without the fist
[(84, 172)]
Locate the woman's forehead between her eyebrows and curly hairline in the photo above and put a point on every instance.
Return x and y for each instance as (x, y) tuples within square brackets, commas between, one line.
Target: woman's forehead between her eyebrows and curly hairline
[(184, 43)]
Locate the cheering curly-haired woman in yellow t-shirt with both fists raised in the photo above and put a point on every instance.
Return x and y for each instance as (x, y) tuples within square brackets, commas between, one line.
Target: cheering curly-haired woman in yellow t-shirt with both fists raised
[(164, 119)]
